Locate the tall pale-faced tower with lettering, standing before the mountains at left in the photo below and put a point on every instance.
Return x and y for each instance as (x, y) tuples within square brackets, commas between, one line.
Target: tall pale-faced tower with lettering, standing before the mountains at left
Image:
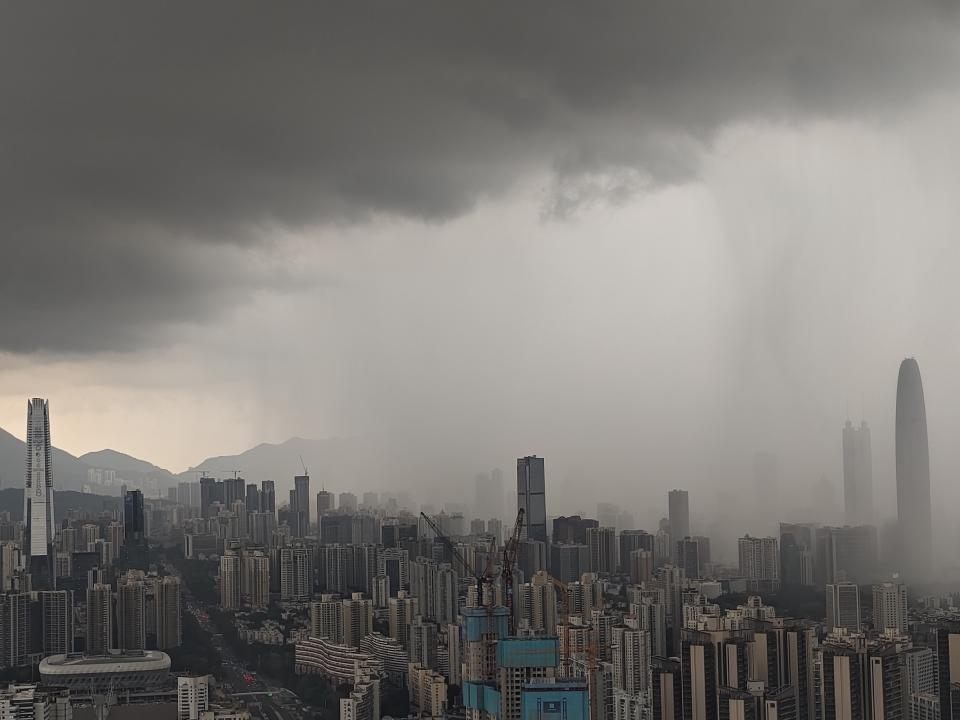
[(38, 494)]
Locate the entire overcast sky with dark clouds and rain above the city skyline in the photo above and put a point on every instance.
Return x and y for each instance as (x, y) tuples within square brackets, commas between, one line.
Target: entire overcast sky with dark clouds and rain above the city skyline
[(644, 240)]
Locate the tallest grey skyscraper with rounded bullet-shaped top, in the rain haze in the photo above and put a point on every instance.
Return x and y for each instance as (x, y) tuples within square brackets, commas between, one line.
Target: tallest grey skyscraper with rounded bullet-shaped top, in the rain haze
[(913, 473)]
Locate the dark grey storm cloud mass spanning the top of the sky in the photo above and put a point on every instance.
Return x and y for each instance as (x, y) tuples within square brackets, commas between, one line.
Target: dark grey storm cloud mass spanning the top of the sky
[(132, 134)]
